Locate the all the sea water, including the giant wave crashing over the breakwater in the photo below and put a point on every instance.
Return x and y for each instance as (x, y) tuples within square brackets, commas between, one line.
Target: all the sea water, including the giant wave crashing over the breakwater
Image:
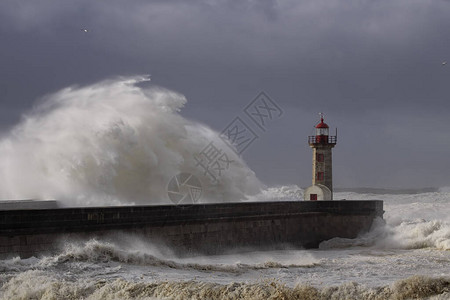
[(117, 143)]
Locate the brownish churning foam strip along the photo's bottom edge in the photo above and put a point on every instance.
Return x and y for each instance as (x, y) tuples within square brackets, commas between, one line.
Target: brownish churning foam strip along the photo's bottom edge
[(41, 285)]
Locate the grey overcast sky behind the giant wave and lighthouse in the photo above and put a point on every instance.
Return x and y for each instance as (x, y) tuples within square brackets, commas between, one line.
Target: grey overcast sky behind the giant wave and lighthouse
[(374, 68)]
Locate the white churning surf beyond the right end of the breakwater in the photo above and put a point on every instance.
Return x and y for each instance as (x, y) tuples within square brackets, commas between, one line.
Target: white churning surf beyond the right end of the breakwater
[(411, 221)]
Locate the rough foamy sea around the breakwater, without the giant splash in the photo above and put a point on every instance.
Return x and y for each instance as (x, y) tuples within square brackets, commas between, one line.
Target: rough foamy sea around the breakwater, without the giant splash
[(407, 257)]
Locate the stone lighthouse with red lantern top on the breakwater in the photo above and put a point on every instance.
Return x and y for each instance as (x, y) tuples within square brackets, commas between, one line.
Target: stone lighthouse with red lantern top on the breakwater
[(322, 170)]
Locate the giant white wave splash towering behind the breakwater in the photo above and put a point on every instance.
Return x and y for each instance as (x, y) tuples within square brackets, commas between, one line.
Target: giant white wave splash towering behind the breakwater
[(112, 143)]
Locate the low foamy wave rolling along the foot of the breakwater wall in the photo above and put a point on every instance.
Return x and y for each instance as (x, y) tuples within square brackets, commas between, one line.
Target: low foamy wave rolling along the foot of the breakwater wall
[(134, 251)]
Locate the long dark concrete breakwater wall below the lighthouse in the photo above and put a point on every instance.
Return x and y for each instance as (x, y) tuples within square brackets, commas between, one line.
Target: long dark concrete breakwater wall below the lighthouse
[(191, 229)]
